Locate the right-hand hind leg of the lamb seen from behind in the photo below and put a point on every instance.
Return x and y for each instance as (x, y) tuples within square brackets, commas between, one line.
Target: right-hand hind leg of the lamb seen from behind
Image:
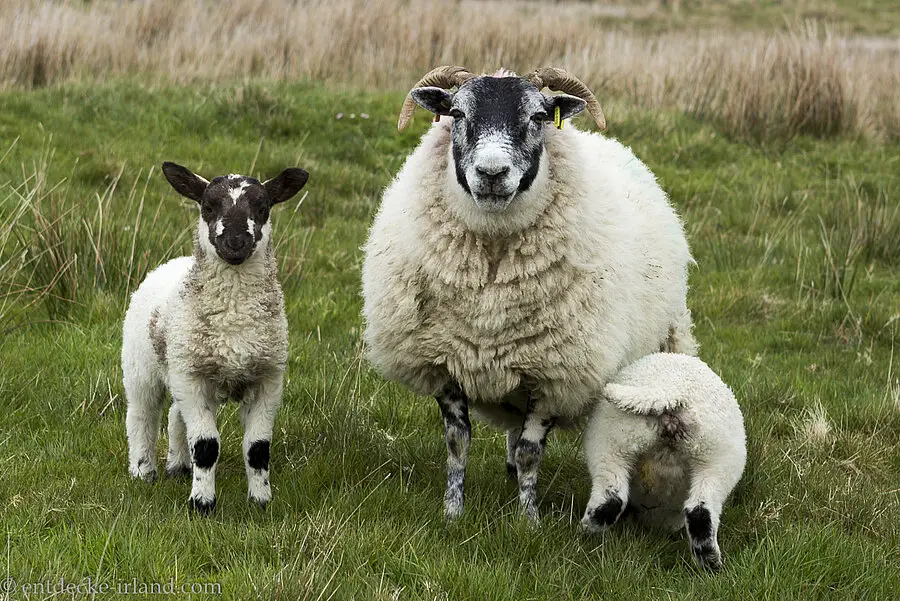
[(711, 482)]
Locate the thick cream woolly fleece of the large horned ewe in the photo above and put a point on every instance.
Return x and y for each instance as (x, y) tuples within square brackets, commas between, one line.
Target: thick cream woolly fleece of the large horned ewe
[(583, 273)]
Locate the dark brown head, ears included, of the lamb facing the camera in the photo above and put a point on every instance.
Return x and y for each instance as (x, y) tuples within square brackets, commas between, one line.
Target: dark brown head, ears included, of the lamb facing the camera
[(234, 209)]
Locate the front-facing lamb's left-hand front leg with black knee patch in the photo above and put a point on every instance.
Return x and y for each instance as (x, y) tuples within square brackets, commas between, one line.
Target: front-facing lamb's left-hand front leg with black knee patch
[(196, 403)]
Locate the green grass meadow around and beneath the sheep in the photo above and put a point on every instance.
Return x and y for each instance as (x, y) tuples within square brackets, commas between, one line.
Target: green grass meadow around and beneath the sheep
[(796, 302)]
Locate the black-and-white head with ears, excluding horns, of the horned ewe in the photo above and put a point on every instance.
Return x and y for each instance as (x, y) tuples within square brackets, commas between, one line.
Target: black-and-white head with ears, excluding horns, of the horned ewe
[(498, 133)]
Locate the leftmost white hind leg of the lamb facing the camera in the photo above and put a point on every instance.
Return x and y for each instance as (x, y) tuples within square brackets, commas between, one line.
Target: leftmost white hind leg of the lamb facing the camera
[(142, 418)]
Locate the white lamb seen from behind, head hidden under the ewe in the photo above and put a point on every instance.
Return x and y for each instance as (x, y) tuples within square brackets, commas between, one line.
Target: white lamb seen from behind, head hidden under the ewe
[(668, 441)]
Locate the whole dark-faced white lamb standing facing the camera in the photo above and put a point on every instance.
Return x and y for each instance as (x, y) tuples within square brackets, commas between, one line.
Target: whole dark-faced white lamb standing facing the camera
[(209, 327)]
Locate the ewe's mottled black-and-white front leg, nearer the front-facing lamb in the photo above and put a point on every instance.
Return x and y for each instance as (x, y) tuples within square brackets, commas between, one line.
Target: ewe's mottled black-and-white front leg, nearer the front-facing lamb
[(457, 434)]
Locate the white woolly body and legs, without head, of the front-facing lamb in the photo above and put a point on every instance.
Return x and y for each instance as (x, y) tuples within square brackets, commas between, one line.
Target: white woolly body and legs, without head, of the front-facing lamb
[(205, 331)]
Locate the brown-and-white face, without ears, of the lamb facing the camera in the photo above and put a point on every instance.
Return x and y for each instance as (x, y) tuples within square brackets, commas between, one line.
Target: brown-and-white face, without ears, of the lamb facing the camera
[(235, 211)]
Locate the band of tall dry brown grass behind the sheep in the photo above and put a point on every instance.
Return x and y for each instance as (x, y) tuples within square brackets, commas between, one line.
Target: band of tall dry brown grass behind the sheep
[(755, 85)]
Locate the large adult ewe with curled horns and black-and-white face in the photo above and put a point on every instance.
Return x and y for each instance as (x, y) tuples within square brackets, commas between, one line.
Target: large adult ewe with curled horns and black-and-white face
[(514, 267)]
